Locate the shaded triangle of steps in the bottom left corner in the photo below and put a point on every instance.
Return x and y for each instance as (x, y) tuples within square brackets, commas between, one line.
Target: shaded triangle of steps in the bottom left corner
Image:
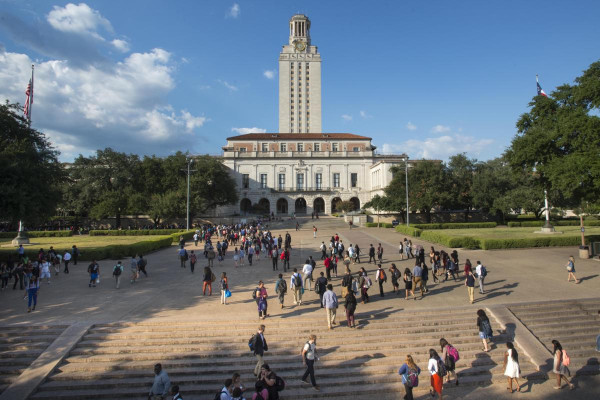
[(20, 346)]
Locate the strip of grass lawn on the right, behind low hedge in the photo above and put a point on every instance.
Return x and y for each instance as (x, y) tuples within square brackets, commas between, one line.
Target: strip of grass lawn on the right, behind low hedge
[(514, 233)]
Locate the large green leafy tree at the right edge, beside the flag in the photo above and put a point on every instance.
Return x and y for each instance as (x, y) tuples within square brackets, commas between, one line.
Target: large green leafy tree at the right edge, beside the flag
[(559, 139)]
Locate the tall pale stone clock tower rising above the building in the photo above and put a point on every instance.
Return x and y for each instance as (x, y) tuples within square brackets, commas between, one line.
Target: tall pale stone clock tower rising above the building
[(299, 81)]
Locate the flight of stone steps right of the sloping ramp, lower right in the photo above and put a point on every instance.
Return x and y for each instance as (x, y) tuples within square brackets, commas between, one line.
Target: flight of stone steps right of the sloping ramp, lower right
[(574, 323)]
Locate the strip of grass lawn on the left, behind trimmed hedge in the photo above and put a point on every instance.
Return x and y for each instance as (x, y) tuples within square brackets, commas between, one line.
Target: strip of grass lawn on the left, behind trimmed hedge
[(82, 242)]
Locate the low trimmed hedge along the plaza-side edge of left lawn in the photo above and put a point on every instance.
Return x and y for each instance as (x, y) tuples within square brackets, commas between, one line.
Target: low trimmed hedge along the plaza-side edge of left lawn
[(114, 251)]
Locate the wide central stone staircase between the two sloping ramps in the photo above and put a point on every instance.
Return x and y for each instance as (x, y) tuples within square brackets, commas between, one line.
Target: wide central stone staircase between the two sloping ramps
[(115, 360)]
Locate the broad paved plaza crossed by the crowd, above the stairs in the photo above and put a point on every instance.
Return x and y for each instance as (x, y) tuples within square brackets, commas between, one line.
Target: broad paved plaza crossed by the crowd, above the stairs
[(173, 295)]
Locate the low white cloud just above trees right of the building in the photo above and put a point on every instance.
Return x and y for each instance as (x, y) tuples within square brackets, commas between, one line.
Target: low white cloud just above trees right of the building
[(441, 147)]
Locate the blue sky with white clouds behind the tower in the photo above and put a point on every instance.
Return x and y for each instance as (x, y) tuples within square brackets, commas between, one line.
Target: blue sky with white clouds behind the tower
[(430, 78)]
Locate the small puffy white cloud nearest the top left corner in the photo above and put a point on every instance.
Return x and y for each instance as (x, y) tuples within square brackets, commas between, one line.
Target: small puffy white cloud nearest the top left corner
[(79, 19)]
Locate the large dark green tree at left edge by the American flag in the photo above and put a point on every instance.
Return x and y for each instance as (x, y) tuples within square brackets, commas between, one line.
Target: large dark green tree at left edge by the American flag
[(31, 173)]
